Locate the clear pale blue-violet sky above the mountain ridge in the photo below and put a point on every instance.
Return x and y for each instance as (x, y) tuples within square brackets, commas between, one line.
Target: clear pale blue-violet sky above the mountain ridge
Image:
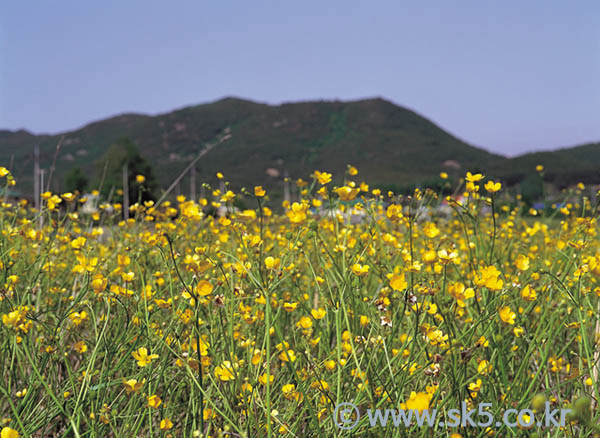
[(510, 76)]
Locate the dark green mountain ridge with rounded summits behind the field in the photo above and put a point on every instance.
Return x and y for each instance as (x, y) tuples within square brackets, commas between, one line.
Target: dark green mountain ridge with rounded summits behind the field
[(389, 144)]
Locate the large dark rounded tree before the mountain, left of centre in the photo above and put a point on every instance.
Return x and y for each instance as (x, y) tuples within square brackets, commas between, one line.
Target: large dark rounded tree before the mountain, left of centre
[(122, 152)]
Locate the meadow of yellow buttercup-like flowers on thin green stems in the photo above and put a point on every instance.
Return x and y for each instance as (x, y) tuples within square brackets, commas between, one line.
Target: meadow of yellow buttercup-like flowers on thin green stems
[(259, 322)]
